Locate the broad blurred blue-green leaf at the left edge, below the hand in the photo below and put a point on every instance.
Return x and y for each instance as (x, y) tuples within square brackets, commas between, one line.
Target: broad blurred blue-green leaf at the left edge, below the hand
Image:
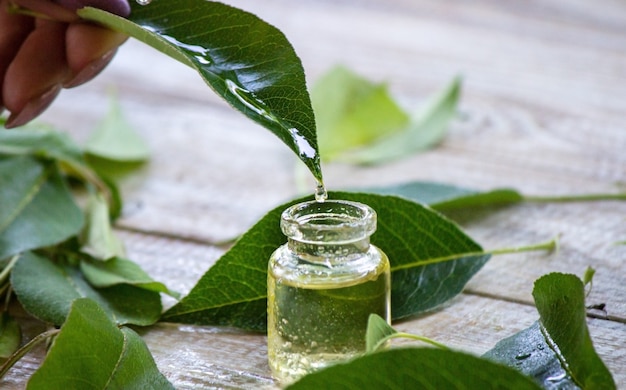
[(37, 208)]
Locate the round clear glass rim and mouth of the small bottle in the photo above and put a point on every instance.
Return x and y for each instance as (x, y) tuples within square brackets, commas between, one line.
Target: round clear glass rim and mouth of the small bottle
[(332, 221)]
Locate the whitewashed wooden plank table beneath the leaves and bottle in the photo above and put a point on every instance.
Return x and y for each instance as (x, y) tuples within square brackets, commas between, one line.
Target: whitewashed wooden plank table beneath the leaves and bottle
[(544, 111)]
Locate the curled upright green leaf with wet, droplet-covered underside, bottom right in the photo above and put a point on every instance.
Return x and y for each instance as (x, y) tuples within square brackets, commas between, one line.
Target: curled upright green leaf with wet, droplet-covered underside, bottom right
[(557, 351)]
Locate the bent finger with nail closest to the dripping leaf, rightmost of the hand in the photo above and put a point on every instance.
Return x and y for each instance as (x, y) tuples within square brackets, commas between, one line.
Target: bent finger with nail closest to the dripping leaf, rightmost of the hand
[(89, 48)]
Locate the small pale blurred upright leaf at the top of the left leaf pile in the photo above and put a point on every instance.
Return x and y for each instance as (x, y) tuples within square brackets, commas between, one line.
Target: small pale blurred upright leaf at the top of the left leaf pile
[(115, 139)]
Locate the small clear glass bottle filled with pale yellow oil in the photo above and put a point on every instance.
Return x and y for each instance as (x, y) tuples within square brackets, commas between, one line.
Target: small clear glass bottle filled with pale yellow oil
[(322, 286)]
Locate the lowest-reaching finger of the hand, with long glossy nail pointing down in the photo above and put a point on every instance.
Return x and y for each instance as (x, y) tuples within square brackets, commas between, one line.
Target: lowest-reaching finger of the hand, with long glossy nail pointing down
[(36, 74)]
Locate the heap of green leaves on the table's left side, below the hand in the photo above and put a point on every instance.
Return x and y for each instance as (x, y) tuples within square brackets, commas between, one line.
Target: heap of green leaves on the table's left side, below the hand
[(66, 265)]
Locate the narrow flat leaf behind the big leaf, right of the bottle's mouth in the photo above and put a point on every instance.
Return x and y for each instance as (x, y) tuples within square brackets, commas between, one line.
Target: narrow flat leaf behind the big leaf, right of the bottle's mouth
[(445, 197)]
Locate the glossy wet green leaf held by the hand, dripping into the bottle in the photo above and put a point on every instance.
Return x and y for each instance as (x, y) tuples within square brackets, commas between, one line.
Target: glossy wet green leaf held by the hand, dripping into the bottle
[(245, 60)]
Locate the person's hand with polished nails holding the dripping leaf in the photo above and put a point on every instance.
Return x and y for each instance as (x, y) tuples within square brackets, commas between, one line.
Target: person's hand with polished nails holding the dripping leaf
[(41, 55)]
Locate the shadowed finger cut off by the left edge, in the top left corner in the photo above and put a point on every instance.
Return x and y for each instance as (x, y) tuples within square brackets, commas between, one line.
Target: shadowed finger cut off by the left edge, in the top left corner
[(14, 30)]
